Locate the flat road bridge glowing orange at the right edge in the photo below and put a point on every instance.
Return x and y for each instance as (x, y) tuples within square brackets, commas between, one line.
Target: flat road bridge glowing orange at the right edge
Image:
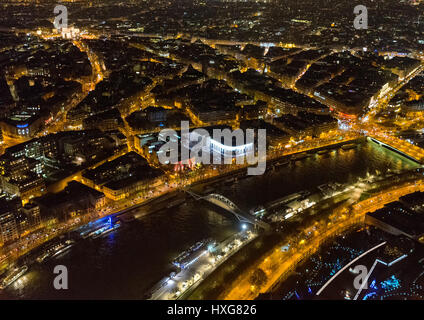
[(400, 146)]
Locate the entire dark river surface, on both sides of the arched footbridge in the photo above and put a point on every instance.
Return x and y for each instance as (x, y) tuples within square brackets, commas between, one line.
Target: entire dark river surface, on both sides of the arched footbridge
[(126, 263)]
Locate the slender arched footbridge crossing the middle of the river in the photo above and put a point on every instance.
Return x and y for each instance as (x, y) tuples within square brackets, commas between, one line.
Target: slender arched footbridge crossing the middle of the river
[(228, 205)]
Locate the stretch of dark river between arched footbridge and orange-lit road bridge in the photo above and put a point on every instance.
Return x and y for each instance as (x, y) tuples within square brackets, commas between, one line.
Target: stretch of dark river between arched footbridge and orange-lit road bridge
[(341, 166)]
